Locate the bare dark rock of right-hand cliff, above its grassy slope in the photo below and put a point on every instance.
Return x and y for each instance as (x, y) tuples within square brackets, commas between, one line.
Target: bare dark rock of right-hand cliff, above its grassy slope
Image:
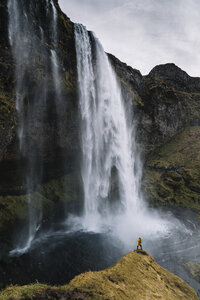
[(165, 101)]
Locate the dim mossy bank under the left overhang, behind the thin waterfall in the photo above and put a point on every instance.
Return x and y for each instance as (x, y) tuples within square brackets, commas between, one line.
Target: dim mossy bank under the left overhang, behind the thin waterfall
[(49, 197)]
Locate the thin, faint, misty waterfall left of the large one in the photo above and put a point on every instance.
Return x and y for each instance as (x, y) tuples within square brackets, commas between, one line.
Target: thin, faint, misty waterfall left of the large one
[(27, 39)]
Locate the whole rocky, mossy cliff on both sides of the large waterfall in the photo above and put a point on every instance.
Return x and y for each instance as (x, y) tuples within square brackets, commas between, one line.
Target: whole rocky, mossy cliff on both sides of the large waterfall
[(166, 108)]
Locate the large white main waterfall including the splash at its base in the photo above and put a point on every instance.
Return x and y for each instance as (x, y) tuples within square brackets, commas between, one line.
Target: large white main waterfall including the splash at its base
[(108, 147)]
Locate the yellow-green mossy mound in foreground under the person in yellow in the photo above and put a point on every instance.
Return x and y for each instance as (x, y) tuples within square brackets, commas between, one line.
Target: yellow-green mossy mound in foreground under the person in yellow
[(135, 276)]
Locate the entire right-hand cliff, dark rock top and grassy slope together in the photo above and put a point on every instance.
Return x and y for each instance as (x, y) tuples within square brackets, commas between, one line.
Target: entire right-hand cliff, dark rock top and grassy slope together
[(166, 105)]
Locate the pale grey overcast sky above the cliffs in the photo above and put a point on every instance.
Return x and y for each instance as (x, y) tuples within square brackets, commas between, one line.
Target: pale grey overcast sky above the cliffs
[(143, 33)]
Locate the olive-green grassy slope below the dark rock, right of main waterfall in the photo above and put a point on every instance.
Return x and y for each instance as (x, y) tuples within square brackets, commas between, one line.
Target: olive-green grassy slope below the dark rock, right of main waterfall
[(172, 176)]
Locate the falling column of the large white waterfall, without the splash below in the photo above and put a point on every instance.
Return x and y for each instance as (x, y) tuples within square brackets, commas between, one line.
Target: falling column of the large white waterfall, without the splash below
[(105, 134)]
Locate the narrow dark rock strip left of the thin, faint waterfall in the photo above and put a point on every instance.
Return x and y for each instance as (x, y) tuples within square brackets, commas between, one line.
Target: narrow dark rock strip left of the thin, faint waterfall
[(7, 107)]
